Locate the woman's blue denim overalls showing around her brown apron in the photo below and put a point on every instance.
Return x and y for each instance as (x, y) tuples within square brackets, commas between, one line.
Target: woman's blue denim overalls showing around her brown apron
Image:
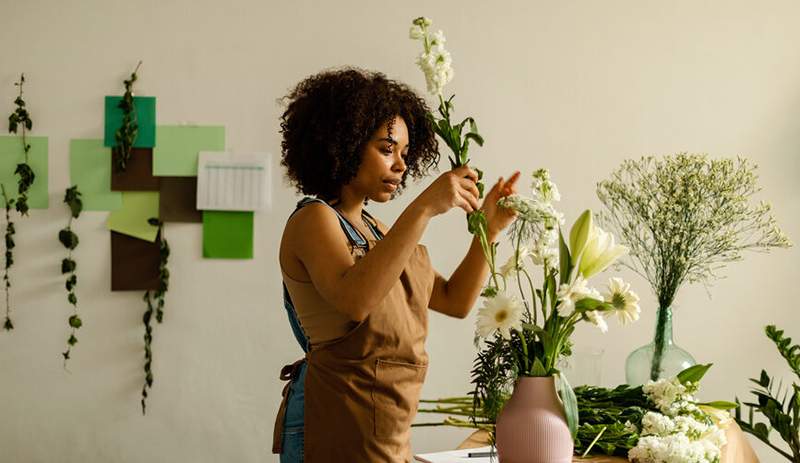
[(291, 440)]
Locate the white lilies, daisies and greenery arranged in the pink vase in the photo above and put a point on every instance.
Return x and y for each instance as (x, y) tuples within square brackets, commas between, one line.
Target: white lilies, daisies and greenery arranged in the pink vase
[(527, 335)]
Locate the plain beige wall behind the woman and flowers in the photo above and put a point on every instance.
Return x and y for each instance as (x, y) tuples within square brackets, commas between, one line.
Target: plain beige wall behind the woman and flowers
[(572, 86)]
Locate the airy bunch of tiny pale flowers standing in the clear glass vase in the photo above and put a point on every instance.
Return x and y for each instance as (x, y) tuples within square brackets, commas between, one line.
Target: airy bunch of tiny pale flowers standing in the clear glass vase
[(683, 217)]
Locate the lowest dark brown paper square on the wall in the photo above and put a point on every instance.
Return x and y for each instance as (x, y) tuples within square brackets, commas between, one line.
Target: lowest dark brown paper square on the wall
[(134, 263)]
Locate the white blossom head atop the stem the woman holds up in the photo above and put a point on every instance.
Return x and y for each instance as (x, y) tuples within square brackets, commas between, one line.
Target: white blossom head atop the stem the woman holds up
[(434, 61)]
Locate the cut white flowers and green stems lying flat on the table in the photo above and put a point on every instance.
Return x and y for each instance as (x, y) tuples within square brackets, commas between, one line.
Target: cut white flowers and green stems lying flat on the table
[(659, 422)]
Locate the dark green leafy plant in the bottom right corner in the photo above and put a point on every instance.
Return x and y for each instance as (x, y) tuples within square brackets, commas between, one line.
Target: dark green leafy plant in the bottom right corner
[(779, 405)]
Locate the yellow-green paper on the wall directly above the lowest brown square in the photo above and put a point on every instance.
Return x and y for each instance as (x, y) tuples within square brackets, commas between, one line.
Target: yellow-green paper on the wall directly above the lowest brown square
[(131, 218)]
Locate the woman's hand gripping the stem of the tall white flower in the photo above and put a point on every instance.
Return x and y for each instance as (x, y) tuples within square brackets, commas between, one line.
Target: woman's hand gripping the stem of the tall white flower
[(454, 188)]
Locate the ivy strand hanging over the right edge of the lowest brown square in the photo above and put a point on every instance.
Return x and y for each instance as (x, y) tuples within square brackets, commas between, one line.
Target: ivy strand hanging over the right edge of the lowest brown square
[(155, 305)]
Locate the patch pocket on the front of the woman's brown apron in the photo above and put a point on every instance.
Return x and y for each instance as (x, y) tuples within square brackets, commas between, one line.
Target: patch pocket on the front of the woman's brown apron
[(395, 396)]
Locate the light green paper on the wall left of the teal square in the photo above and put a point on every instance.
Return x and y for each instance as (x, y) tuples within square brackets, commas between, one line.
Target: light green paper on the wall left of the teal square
[(90, 169)]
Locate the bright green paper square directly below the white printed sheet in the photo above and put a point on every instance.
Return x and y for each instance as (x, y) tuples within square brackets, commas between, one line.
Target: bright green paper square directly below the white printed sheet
[(228, 234)]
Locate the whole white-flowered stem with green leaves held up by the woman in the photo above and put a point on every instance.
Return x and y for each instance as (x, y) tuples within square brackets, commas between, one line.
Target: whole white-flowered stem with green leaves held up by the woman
[(436, 63)]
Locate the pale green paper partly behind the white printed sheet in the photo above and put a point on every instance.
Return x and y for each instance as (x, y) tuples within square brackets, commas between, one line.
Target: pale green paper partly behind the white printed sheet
[(178, 147)]
